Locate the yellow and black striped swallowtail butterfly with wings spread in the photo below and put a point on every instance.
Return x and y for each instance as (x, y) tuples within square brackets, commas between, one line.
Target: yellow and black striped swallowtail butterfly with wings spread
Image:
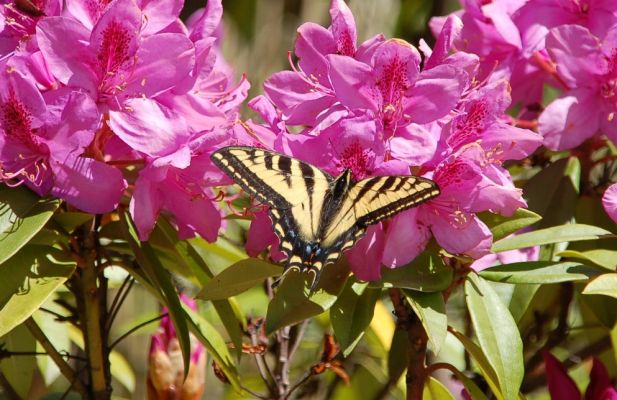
[(317, 216)]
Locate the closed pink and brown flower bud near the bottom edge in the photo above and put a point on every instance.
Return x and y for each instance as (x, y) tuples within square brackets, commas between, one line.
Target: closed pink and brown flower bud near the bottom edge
[(166, 367)]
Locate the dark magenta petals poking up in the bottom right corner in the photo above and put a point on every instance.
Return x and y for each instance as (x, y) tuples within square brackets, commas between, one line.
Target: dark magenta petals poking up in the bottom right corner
[(561, 386)]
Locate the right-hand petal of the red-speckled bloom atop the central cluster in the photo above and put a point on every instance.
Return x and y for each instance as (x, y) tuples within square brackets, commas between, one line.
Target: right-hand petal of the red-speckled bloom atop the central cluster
[(435, 93)]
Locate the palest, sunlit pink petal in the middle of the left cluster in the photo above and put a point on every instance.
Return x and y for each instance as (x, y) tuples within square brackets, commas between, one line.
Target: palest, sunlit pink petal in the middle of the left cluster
[(149, 127)]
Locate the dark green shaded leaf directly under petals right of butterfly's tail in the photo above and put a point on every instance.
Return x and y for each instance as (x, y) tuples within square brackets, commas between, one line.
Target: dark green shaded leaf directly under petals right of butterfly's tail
[(426, 273)]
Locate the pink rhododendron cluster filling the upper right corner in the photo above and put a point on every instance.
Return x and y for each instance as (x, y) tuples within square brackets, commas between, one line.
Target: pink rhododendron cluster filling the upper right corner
[(569, 45)]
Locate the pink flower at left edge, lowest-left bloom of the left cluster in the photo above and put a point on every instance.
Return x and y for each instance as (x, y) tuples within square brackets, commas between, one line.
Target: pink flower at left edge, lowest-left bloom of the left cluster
[(42, 142)]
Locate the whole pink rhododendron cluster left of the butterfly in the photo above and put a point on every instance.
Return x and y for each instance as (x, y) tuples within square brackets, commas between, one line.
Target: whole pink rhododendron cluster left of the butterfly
[(90, 91)]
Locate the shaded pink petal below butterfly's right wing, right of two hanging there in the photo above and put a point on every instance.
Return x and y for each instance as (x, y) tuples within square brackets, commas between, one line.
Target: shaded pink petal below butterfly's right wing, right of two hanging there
[(406, 238)]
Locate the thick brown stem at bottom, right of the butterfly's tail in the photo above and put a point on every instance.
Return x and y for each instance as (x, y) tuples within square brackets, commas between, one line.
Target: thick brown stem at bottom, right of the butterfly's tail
[(416, 363)]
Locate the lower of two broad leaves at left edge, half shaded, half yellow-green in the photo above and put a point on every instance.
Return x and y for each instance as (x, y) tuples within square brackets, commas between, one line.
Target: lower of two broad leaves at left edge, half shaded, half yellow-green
[(44, 270)]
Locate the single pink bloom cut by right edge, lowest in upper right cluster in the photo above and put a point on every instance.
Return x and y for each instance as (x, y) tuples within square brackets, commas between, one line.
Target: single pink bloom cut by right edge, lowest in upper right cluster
[(588, 66)]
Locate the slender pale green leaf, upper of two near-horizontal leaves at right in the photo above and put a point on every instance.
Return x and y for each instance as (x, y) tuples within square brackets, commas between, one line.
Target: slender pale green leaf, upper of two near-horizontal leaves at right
[(557, 234)]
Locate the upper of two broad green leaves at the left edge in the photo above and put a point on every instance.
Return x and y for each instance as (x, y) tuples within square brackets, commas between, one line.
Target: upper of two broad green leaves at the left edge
[(22, 215)]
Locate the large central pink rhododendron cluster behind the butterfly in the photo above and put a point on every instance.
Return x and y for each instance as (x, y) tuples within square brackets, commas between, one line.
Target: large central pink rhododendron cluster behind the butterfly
[(380, 108)]
